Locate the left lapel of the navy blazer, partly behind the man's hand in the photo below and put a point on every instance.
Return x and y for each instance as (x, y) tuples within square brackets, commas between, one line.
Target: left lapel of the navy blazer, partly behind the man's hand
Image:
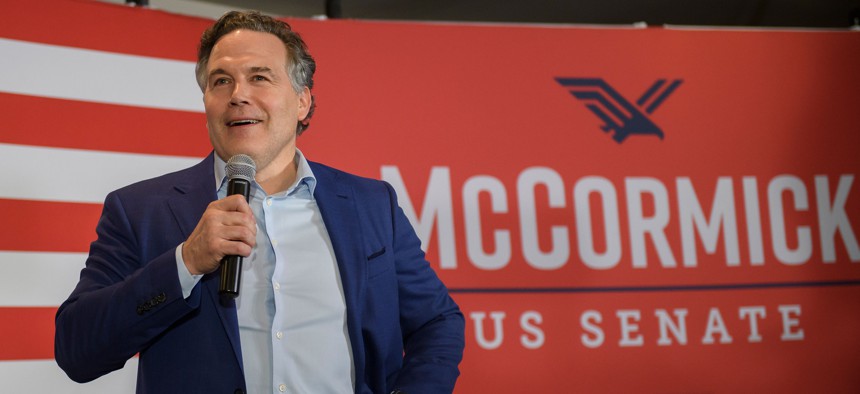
[(195, 193)]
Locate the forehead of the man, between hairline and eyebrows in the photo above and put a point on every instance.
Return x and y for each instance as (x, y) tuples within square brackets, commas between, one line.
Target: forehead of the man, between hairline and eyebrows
[(243, 46)]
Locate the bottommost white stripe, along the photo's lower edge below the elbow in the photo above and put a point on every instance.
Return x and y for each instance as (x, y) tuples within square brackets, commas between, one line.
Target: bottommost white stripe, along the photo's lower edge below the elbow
[(44, 376)]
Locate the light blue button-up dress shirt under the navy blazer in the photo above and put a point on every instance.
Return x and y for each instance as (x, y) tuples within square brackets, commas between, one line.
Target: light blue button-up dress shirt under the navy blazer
[(291, 308)]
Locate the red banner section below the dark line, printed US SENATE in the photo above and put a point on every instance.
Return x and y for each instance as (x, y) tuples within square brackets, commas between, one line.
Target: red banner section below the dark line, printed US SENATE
[(740, 341)]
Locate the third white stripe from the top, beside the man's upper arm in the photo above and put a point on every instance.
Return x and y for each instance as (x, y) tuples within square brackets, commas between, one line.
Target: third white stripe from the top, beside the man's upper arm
[(38, 279)]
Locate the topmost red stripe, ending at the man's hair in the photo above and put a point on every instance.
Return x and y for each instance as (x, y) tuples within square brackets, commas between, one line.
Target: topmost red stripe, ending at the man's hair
[(106, 27)]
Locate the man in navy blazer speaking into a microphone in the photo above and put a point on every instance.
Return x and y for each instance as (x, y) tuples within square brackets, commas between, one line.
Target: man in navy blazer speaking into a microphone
[(336, 295)]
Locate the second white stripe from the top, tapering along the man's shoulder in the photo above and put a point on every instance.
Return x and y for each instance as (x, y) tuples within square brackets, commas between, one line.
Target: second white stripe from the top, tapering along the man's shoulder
[(74, 175)]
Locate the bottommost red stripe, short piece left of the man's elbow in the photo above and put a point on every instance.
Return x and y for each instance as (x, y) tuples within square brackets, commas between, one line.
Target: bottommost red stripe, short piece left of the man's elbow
[(28, 333)]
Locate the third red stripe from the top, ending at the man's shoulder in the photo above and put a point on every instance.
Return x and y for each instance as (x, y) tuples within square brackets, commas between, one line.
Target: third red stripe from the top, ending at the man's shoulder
[(47, 226)]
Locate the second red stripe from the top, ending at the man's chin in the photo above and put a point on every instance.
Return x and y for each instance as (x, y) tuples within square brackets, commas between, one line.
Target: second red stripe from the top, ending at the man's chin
[(108, 127)]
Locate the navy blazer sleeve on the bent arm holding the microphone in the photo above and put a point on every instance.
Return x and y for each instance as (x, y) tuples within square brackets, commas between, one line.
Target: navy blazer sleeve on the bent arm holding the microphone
[(126, 297)]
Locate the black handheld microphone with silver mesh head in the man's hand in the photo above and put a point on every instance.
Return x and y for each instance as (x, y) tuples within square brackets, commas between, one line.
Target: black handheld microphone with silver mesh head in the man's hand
[(240, 173)]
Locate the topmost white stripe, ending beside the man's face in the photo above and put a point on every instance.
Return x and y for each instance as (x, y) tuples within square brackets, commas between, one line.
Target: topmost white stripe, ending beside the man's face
[(102, 77)]
